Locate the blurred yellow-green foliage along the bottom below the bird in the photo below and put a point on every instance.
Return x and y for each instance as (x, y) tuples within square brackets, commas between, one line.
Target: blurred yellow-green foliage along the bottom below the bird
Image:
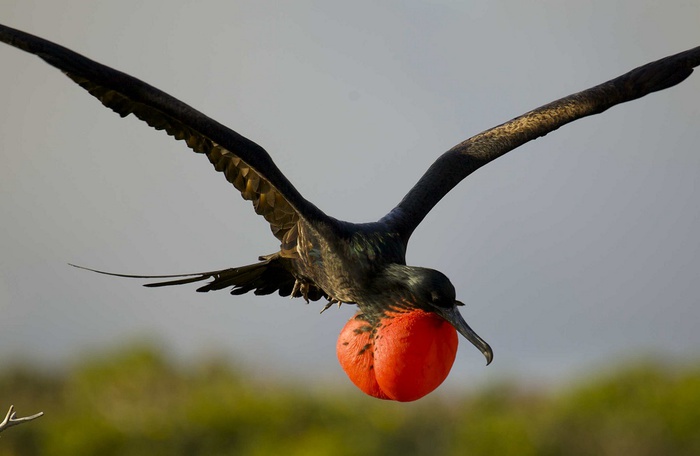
[(135, 401)]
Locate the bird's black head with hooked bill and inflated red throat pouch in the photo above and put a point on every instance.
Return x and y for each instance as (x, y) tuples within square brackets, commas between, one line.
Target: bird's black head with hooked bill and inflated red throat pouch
[(402, 346)]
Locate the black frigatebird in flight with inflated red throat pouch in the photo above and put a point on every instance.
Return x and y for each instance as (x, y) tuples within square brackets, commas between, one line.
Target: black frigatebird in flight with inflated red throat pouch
[(402, 342)]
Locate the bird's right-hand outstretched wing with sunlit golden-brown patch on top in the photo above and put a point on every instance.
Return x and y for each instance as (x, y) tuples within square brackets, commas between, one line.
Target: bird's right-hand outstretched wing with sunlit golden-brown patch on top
[(470, 155)]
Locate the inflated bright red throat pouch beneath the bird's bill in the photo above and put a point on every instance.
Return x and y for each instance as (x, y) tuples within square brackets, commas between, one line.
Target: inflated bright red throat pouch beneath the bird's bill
[(405, 357)]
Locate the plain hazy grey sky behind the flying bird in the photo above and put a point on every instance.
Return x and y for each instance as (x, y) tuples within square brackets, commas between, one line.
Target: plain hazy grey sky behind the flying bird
[(573, 250)]
